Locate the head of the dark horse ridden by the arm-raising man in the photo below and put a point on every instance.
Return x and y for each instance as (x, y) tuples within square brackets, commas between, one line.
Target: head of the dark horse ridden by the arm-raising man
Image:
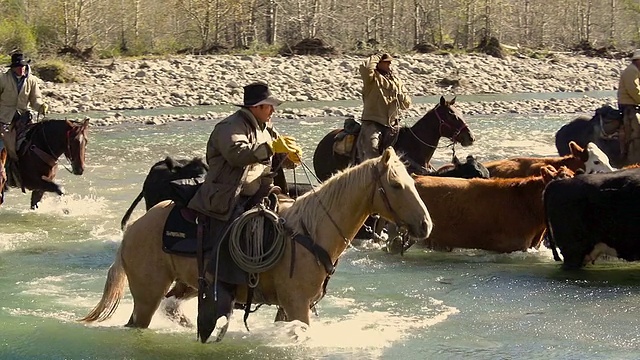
[(452, 125)]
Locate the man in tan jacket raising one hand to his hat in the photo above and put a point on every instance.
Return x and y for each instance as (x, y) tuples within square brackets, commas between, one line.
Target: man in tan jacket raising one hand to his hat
[(383, 96)]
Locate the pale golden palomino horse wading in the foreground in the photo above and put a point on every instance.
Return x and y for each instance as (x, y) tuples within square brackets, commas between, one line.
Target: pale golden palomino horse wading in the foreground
[(331, 215)]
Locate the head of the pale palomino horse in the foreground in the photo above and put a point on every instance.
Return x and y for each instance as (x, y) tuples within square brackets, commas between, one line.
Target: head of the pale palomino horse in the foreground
[(396, 197)]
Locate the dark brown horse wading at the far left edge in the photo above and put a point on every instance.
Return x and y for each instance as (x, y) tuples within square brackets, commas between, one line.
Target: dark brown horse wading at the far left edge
[(38, 156)]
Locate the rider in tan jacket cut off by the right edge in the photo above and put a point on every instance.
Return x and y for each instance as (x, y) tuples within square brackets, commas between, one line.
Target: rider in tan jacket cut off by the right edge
[(629, 104)]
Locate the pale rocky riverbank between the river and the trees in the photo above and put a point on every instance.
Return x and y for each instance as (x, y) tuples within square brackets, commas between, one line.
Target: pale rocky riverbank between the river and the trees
[(110, 86)]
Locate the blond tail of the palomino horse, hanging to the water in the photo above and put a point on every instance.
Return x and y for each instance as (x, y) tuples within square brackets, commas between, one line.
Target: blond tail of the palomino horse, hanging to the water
[(113, 292)]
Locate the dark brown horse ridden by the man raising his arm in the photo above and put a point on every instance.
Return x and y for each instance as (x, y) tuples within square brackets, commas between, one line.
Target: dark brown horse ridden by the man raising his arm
[(417, 143)]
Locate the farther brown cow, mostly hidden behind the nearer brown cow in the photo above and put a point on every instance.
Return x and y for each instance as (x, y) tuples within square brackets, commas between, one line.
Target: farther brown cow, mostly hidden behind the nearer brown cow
[(530, 166)]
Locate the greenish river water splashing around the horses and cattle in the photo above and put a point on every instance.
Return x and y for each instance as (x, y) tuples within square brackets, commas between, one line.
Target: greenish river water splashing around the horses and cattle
[(424, 305)]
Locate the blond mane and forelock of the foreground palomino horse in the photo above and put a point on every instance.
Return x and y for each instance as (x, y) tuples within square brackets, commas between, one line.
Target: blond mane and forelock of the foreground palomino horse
[(315, 205)]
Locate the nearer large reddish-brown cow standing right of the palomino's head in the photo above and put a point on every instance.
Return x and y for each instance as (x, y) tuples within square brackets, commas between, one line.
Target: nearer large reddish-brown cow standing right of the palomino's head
[(501, 215)]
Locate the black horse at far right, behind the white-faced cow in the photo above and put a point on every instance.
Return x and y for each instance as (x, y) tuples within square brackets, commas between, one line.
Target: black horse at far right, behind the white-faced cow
[(601, 129)]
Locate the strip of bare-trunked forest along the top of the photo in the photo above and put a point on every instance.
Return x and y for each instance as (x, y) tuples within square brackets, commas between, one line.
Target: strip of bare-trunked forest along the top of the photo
[(109, 28)]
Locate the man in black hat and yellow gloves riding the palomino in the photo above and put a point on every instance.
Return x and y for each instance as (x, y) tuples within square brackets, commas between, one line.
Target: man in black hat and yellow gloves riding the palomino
[(239, 154)]
